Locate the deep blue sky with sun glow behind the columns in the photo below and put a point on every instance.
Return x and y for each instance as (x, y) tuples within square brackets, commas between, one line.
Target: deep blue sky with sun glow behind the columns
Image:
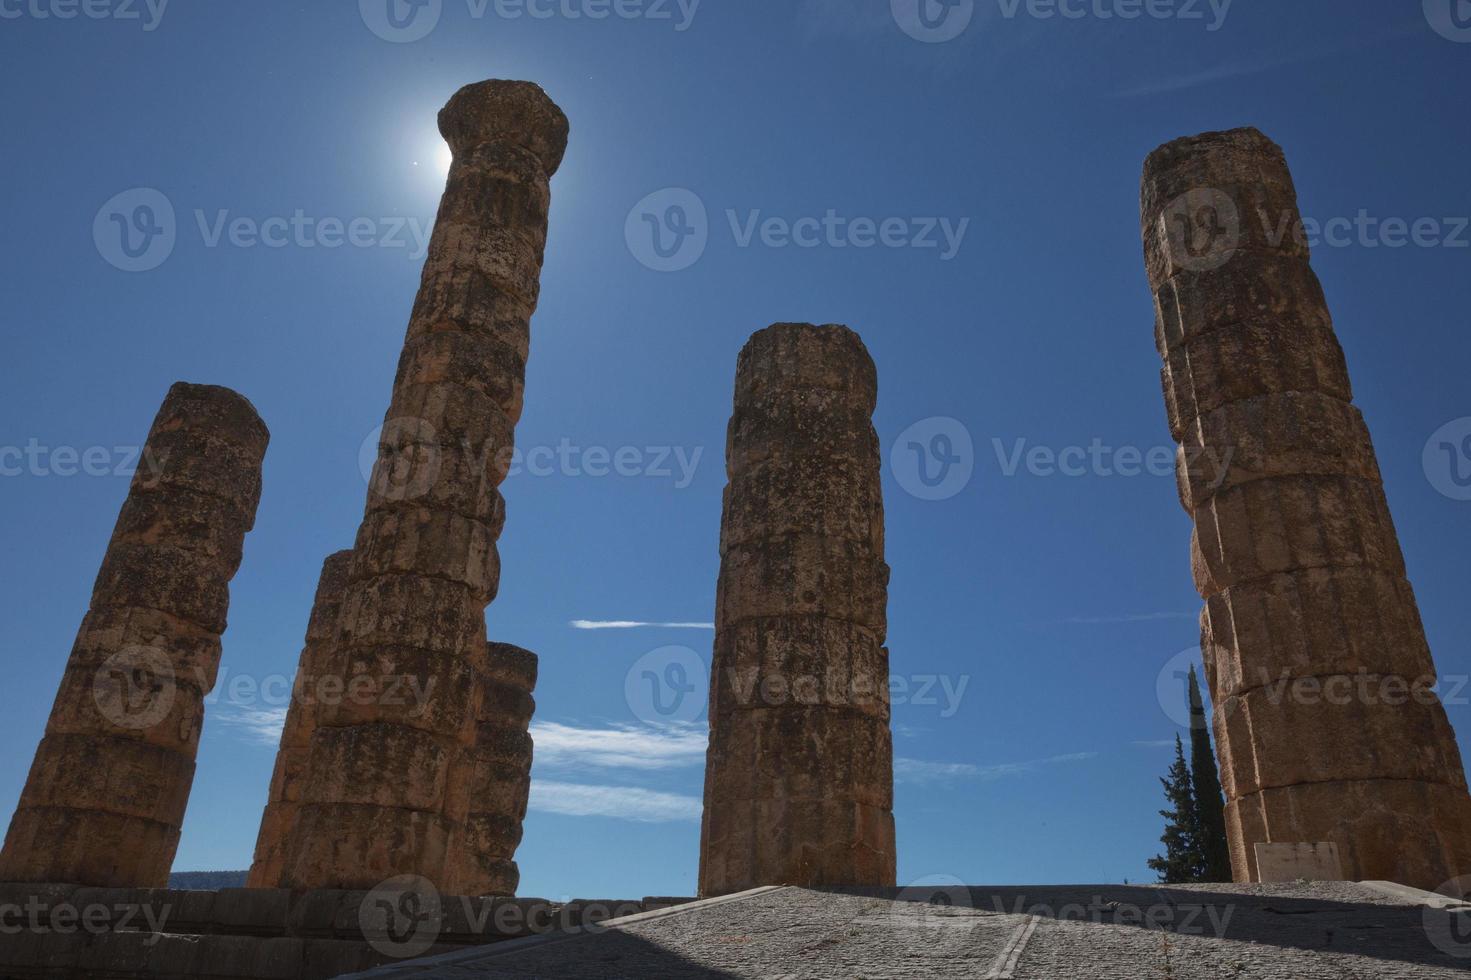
[(1044, 607)]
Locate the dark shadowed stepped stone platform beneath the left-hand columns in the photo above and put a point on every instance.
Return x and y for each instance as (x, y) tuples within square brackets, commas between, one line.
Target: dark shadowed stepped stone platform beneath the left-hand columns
[(63, 931)]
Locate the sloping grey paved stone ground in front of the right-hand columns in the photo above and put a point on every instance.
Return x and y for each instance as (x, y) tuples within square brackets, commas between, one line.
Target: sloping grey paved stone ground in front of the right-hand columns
[(1289, 932)]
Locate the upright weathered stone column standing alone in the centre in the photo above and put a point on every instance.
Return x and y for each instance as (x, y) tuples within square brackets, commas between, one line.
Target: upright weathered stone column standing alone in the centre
[(799, 778)]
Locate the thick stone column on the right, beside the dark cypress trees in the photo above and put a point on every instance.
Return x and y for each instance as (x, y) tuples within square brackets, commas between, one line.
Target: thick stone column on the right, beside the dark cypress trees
[(1317, 661)]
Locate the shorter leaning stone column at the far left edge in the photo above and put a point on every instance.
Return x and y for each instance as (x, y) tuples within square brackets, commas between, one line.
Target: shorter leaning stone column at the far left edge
[(107, 794)]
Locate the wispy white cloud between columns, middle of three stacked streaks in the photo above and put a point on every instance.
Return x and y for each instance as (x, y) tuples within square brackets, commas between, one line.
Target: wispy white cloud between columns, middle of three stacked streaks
[(619, 747)]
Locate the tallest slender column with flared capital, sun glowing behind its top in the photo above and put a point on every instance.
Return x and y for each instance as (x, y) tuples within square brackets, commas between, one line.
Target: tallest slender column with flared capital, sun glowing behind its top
[(377, 798)]
